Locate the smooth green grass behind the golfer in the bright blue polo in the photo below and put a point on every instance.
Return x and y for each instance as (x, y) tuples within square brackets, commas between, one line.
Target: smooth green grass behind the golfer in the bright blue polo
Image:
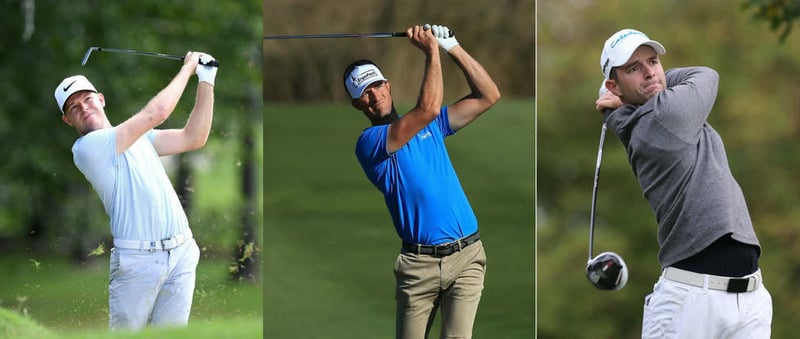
[(329, 243)]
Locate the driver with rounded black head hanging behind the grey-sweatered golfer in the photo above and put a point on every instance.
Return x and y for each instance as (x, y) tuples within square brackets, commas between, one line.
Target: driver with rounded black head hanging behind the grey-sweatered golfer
[(606, 271)]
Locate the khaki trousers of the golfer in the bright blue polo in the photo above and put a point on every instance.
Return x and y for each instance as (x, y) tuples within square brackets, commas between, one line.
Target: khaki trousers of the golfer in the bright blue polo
[(426, 283)]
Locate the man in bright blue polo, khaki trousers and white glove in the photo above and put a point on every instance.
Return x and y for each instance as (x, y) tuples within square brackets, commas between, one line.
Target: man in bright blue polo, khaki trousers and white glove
[(442, 262)]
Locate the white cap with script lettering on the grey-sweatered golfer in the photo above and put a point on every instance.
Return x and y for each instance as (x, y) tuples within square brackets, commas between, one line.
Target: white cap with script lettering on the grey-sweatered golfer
[(620, 46)]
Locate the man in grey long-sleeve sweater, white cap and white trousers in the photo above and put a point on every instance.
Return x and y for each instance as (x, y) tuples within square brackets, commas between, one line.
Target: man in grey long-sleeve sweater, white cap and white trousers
[(711, 285)]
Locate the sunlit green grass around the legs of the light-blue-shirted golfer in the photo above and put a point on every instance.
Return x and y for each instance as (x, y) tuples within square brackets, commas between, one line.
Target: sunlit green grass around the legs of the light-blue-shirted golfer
[(73, 302)]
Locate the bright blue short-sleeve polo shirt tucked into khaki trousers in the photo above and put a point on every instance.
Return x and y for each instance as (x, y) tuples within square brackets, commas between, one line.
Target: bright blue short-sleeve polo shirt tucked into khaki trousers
[(419, 184)]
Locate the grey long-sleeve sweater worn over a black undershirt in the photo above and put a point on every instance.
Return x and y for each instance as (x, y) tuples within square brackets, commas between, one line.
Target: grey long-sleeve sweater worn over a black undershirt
[(681, 165)]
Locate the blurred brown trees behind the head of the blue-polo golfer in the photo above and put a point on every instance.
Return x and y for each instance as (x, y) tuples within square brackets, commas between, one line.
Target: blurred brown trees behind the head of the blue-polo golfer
[(505, 50)]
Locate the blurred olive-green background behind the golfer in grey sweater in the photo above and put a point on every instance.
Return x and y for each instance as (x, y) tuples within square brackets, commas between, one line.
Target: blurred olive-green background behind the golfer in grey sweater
[(756, 112)]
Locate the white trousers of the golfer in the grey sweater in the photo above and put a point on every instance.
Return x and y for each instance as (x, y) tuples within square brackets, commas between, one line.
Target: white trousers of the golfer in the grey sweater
[(677, 310)]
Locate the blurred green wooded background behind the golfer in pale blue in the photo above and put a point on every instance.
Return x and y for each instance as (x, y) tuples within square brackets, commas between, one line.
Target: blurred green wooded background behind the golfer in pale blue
[(54, 233)]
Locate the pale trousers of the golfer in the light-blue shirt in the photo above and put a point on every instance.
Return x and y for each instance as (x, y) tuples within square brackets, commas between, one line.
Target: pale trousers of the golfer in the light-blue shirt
[(153, 288)]
